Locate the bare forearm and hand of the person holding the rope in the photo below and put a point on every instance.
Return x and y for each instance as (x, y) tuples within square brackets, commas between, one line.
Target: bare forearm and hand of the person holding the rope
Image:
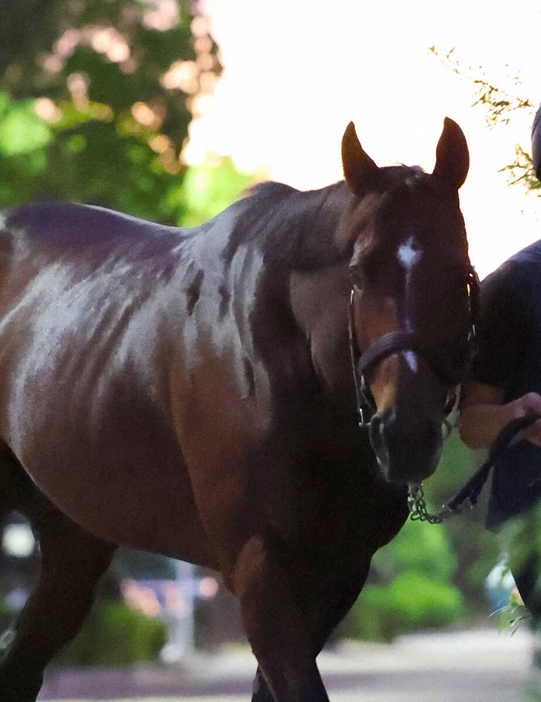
[(483, 415)]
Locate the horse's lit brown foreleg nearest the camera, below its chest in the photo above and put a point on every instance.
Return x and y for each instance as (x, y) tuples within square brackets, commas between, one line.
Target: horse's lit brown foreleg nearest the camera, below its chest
[(276, 629)]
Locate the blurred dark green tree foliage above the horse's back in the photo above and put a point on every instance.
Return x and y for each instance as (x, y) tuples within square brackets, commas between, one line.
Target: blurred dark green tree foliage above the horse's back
[(96, 98)]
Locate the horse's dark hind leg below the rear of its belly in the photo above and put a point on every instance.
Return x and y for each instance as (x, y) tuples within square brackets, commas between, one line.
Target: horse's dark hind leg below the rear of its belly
[(72, 561)]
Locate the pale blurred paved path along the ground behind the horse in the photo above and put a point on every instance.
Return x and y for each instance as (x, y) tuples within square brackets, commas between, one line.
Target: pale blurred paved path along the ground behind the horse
[(476, 666)]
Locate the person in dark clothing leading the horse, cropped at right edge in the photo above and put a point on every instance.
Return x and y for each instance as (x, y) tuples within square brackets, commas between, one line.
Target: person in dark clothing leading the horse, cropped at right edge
[(505, 384)]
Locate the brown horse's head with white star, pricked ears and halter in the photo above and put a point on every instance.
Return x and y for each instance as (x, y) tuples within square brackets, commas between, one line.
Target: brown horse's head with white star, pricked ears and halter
[(412, 302)]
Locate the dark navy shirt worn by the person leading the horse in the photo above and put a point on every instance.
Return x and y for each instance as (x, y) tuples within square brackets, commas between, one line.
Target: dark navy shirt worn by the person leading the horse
[(509, 358)]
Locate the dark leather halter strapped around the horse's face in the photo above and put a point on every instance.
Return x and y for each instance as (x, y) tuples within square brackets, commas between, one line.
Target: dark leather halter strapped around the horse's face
[(396, 342)]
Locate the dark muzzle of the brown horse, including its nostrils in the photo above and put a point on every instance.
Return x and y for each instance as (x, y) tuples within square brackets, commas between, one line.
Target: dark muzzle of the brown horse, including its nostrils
[(405, 454)]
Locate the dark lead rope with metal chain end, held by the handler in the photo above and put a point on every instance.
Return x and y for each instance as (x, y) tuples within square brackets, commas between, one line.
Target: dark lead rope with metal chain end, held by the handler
[(467, 496)]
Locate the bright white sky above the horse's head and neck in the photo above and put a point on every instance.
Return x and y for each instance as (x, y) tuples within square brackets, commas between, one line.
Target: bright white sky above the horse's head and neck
[(297, 71)]
